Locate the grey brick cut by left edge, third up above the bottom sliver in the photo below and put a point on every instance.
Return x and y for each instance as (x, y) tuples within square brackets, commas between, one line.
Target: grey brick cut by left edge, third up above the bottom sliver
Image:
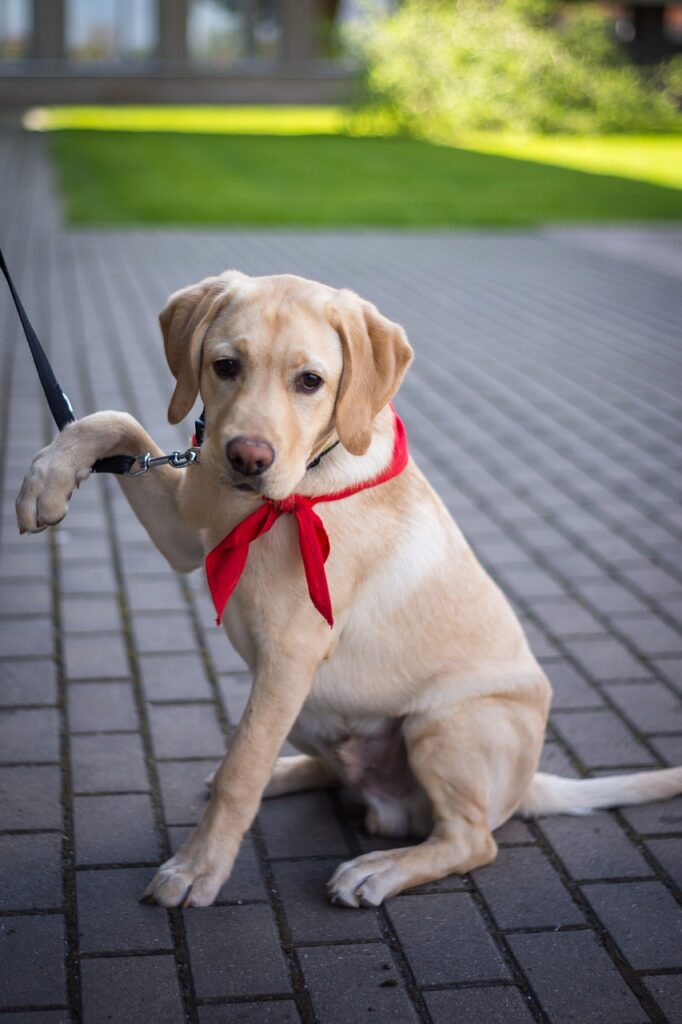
[(31, 797)]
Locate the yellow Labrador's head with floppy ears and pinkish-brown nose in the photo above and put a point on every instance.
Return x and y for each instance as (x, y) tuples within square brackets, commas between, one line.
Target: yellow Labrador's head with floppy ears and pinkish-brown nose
[(284, 367)]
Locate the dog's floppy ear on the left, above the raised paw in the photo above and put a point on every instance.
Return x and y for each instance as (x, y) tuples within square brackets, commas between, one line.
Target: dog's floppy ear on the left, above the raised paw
[(185, 320)]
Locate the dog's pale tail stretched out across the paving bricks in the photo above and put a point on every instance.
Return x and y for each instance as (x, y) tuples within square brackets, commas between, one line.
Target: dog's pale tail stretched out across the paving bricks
[(553, 795)]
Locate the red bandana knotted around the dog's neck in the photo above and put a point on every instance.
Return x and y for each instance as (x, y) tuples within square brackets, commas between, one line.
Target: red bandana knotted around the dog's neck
[(226, 563)]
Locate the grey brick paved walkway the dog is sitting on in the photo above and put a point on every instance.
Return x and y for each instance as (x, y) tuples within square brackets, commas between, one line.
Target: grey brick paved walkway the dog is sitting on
[(545, 406)]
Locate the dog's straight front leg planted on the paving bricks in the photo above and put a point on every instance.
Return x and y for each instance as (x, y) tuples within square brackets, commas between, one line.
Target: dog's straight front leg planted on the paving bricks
[(195, 875)]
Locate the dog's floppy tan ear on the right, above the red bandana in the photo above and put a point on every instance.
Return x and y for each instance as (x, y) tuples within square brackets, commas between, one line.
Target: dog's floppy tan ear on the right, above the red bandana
[(376, 356)]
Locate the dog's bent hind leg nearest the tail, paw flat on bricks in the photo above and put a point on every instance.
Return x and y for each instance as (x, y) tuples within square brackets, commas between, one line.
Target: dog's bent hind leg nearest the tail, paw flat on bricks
[(475, 765)]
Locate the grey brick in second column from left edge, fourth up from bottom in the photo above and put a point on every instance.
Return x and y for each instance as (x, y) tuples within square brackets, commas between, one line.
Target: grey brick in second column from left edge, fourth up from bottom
[(108, 763)]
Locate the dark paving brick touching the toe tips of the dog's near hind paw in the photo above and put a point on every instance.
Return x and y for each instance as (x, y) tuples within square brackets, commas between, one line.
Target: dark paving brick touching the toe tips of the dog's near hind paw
[(311, 916)]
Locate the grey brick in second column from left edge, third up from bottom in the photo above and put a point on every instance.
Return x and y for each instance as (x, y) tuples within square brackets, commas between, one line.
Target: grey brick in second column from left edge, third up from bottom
[(115, 830)]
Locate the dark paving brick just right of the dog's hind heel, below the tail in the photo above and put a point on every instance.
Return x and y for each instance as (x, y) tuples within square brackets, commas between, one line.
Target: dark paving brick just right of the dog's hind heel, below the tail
[(523, 890)]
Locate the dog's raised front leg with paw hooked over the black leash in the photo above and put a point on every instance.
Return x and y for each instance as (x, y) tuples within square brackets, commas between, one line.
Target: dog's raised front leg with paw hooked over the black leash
[(66, 463)]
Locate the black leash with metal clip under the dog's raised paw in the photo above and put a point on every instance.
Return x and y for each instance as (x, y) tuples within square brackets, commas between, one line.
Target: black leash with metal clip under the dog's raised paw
[(63, 412)]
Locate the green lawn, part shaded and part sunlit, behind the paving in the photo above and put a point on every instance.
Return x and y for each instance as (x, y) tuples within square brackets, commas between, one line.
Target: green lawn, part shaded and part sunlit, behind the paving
[(305, 167)]
